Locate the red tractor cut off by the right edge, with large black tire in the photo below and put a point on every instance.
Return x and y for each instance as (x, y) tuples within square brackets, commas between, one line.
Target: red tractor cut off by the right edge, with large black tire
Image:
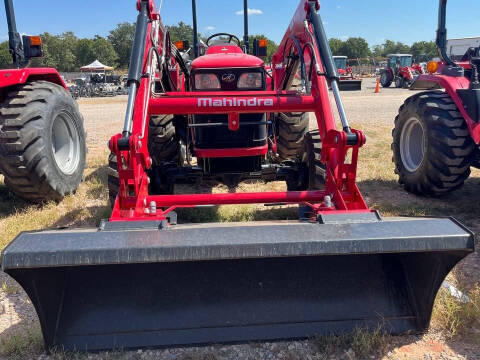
[(437, 132)]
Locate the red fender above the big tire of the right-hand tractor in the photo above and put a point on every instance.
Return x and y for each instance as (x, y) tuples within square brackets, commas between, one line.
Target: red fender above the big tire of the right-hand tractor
[(451, 84)]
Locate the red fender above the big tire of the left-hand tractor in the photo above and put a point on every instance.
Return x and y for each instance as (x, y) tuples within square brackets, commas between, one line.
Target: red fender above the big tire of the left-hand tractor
[(13, 77)]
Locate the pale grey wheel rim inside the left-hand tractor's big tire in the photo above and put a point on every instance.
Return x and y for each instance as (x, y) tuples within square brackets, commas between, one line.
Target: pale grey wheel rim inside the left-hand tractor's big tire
[(65, 143)]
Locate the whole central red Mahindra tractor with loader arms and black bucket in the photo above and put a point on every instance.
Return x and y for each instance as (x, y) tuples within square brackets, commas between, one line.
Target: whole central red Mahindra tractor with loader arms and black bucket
[(140, 280)]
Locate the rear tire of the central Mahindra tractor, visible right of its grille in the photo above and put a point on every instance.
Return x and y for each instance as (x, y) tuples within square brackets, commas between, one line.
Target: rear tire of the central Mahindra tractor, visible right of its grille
[(292, 130)]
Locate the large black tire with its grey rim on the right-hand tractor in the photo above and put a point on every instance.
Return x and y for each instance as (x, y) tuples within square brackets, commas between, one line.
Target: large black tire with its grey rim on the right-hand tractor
[(432, 147)]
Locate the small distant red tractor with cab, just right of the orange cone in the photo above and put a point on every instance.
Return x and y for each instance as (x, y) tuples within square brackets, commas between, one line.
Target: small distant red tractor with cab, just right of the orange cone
[(400, 70)]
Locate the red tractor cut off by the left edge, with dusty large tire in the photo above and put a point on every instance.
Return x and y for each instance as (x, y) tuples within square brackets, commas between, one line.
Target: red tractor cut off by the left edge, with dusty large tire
[(42, 140)]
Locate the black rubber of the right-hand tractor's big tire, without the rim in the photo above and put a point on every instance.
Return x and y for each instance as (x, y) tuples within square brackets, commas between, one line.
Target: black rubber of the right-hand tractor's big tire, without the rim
[(450, 148)]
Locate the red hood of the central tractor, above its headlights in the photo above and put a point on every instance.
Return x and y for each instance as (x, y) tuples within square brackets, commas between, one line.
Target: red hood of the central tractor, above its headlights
[(223, 56)]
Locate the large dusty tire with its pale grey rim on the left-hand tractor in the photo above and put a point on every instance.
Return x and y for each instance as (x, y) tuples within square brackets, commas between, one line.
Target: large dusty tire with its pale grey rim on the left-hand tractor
[(42, 142)]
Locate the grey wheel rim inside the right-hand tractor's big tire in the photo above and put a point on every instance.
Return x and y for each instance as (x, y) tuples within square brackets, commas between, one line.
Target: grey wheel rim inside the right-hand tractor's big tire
[(412, 144)]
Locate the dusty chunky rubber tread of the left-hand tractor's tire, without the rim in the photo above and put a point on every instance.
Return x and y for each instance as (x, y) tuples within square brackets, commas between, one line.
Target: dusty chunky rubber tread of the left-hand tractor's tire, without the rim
[(22, 157)]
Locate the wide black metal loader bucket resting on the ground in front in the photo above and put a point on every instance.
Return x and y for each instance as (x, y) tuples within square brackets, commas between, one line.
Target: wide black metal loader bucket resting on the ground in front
[(124, 287)]
